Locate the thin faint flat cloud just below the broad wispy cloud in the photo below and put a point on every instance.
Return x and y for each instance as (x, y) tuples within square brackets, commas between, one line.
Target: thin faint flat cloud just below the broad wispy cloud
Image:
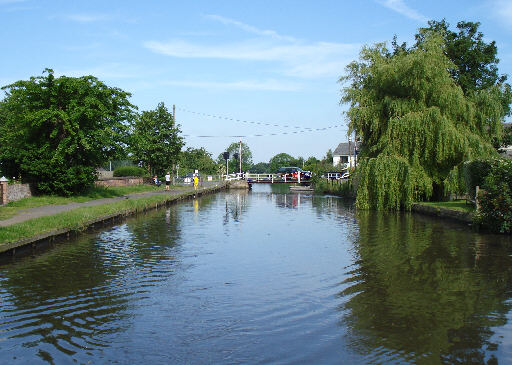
[(267, 85)]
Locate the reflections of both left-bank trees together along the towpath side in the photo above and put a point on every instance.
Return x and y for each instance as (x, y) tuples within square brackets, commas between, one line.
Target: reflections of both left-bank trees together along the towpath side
[(75, 299)]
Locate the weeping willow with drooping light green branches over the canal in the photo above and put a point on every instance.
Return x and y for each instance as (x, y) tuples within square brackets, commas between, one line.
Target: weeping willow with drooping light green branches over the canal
[(414, 124)]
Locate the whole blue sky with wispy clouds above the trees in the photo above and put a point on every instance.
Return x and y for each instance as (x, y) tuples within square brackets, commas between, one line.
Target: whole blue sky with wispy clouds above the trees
[(273, 62)]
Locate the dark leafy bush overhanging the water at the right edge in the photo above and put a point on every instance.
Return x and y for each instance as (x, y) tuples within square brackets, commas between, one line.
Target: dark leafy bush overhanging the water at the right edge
[(495, 210)]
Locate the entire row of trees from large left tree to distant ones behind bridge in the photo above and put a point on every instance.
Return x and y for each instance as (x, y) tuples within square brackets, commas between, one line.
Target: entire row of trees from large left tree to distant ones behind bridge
[(56, 131)]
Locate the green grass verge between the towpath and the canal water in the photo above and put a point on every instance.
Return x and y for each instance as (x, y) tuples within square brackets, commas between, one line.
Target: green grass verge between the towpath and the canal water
[(80, 218)]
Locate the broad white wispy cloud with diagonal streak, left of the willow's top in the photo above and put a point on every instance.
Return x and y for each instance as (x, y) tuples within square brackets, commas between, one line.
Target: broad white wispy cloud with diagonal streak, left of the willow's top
[(288, 55)]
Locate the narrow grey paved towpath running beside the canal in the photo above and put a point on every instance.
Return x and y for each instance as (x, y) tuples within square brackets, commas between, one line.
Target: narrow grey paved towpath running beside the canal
[(48, 210)]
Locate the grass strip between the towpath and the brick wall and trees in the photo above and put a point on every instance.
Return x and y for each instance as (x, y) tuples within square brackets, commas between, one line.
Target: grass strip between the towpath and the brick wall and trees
[(12, 208)]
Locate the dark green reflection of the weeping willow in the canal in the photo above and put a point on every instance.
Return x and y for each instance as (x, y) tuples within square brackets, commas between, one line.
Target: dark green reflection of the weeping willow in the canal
[(425, 291)]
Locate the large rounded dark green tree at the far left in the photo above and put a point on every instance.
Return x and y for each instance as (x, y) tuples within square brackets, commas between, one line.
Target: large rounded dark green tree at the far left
[(55, 132)]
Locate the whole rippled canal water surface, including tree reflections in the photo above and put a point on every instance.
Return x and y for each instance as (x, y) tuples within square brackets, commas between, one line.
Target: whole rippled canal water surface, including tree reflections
[(263, 277)]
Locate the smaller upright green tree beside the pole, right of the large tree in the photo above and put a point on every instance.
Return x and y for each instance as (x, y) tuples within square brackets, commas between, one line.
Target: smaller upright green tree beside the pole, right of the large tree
[(156, 140)]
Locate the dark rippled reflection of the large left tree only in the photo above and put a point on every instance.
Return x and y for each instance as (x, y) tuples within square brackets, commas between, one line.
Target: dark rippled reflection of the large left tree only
[(58, 306)]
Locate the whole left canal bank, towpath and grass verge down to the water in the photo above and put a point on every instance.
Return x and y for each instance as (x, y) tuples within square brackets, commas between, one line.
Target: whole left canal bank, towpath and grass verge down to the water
[(46, 225)]
